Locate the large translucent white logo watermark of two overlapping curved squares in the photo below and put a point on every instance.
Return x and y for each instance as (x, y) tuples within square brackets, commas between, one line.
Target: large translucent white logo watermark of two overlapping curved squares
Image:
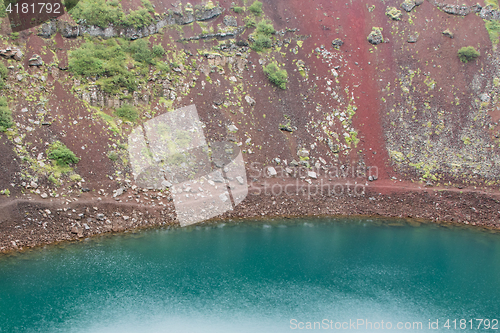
[(170, 151)]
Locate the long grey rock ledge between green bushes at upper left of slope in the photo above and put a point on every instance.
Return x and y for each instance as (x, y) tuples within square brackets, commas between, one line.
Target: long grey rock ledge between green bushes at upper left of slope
[(201, 13)]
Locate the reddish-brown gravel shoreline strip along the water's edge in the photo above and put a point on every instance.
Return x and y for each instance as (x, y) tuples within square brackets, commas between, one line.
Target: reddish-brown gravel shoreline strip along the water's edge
[(52, 222)]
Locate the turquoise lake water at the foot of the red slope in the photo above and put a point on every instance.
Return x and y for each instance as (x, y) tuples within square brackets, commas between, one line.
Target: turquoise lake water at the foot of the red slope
[(256, 277)]
